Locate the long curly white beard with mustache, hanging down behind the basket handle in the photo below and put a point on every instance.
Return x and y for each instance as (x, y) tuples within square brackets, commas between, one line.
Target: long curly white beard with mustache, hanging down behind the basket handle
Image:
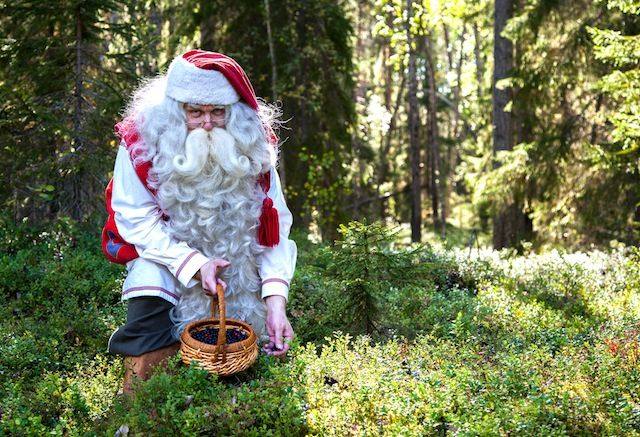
[(210, 194)]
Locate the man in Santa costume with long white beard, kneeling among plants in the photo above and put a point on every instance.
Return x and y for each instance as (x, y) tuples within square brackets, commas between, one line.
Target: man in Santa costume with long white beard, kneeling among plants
[(196, 201)]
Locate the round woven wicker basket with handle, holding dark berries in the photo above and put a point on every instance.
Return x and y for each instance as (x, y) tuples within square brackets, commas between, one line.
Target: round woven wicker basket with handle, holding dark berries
[(222, 359)]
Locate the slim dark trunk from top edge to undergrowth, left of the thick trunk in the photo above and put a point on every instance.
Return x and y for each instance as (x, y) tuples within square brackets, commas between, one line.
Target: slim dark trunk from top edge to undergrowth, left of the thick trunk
[(414, 145)]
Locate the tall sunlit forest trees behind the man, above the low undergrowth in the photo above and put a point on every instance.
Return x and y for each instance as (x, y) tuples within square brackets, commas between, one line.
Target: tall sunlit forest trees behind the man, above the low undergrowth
[(515, 121)]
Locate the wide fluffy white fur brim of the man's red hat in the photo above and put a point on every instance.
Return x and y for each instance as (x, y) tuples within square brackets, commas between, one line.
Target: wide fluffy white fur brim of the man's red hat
[(189, 80)]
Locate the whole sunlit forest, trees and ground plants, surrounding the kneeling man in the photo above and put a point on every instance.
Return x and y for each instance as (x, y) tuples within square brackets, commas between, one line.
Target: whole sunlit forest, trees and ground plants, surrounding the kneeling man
[(467, 126)]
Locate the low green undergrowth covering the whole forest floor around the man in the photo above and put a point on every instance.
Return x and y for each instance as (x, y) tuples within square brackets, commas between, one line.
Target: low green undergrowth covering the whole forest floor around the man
[(391, 340)]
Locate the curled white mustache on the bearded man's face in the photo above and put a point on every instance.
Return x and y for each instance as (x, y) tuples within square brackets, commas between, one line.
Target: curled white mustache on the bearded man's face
[(218, 146)]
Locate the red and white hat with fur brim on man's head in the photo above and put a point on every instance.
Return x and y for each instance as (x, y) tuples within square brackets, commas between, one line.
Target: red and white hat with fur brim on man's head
[(209, 78)]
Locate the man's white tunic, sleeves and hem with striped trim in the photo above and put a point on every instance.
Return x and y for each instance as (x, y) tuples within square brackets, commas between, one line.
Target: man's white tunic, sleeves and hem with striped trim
[(165, 262)]
